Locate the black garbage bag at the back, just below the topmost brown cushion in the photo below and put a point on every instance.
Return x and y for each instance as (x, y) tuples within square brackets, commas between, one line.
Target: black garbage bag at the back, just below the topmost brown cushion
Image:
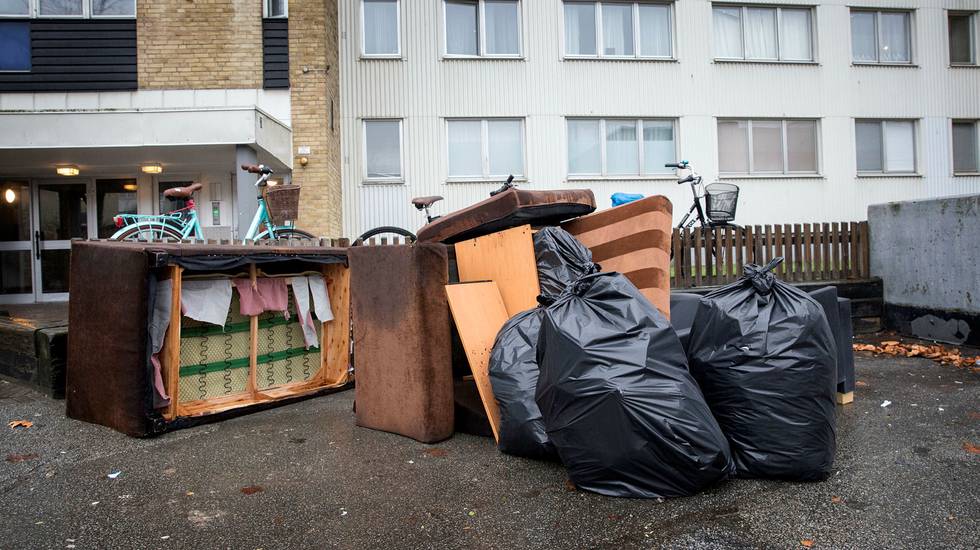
[(562, 260)]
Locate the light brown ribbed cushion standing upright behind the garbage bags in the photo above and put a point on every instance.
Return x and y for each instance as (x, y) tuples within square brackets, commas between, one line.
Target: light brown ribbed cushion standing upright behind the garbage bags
[(632, 239)]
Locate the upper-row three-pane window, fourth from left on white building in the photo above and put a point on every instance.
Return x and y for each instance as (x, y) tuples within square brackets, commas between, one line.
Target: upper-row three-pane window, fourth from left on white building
[(755, 33)]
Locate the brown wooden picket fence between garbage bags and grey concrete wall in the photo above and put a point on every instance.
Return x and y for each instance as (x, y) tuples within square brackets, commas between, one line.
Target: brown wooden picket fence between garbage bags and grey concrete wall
[(811, 252)]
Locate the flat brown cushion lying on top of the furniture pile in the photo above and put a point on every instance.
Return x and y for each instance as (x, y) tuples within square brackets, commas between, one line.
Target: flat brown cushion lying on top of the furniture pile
[(511, 208)]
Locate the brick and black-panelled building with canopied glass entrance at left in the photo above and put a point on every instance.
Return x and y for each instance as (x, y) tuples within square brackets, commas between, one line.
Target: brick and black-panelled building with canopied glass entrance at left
[(104, 104)]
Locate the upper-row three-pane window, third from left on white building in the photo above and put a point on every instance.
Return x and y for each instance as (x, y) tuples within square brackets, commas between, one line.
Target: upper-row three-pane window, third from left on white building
[(608, 29)]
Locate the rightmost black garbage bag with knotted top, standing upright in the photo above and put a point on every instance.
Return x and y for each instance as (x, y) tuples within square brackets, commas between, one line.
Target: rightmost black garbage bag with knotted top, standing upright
[(766, 360)]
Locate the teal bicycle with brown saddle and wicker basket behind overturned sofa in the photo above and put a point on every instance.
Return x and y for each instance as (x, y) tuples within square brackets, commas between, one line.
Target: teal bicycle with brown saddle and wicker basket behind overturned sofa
[(183, 223)]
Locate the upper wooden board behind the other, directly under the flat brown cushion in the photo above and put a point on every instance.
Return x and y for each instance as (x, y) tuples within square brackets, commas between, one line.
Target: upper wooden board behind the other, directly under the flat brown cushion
[(506, 258)]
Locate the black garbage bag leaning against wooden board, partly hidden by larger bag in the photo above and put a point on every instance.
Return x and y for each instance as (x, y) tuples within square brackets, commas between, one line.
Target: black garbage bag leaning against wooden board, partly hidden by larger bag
[(514, 377)]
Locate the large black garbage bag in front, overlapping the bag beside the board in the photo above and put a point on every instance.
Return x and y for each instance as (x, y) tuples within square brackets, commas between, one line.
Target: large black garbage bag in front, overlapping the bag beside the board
[(617, 400)]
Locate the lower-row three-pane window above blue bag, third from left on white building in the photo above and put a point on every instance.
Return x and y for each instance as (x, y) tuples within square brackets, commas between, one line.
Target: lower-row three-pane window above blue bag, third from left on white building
[(620, 147)]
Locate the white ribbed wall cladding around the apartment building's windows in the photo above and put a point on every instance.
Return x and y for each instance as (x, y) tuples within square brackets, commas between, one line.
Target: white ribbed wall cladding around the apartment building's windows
[(423, 89)]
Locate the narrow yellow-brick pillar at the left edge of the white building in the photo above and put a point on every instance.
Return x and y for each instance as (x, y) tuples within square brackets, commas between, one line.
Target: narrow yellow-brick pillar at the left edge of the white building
[(315, 104)]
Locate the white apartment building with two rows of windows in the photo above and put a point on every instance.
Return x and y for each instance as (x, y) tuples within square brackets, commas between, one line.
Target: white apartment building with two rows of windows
[(815, 109)]
